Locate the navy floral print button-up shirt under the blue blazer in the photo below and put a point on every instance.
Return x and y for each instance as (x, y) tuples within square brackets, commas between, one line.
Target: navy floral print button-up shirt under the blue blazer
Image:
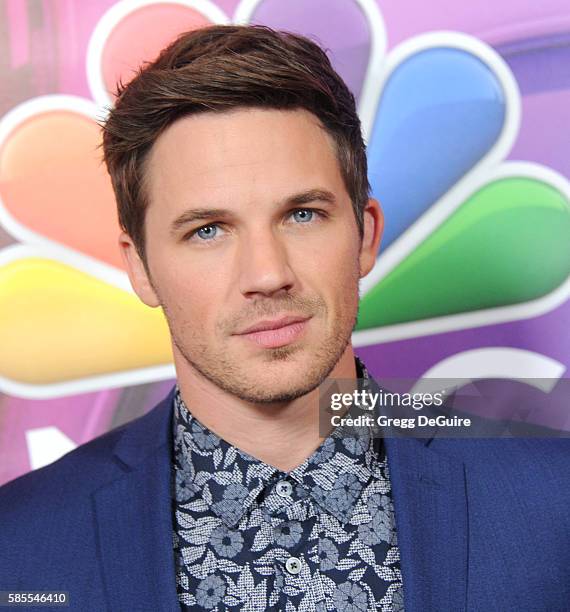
[(250, 537)]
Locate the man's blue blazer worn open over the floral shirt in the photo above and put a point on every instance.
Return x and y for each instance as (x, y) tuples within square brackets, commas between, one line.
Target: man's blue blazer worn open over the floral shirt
[(483, 525)]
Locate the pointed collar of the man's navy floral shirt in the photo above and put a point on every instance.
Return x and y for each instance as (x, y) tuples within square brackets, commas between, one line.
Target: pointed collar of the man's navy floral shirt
[(333, 475)]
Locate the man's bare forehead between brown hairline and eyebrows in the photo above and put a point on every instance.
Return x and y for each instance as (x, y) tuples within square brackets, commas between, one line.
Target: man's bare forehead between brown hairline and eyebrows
[(245, 150)]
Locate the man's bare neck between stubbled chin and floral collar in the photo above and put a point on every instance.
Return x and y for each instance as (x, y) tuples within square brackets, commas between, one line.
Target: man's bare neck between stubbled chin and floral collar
[(282, 435)]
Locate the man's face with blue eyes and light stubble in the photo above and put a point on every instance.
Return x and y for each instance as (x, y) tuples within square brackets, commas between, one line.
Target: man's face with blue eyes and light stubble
[(283, 242)]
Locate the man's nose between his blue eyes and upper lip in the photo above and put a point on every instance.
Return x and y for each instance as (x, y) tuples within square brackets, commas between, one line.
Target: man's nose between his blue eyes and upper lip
[(264, 265)]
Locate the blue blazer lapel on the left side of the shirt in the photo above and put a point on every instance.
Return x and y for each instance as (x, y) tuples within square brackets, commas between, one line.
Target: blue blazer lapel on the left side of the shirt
[(134, 518)]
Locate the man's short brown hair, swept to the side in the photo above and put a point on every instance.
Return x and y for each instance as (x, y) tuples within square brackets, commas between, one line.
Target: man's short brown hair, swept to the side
[(219, 68)]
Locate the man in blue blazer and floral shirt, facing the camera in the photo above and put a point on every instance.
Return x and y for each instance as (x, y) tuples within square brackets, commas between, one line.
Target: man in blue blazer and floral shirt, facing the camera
[(240, 175)]
